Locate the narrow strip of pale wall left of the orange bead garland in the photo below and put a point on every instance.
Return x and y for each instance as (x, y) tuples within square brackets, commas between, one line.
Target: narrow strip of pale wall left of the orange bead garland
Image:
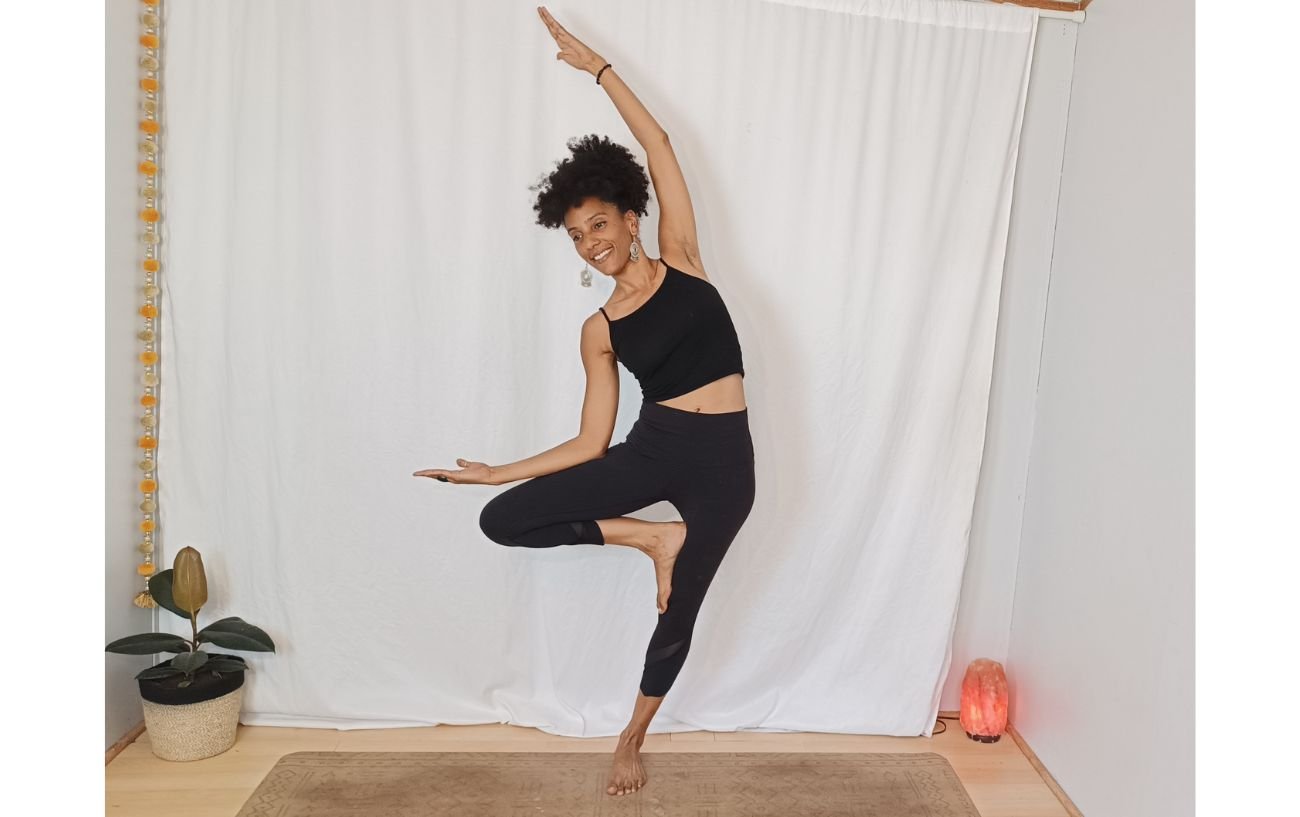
[(123, 282)]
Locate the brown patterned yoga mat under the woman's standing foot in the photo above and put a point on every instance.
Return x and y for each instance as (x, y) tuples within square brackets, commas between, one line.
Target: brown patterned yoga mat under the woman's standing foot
[(573, 785)]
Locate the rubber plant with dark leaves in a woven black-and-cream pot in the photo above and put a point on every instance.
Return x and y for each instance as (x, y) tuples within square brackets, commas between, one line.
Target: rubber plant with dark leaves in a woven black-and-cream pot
[(192, 702)]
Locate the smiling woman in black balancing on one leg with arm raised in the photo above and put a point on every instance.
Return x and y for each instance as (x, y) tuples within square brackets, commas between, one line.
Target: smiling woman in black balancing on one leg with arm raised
[(691, 444)]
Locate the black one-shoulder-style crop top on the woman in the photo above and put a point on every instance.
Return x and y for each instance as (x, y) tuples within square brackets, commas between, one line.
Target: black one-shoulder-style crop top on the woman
[(679, 340)]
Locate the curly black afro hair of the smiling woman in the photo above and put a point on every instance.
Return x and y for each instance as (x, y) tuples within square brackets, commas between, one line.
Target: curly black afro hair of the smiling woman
[(596, 168)]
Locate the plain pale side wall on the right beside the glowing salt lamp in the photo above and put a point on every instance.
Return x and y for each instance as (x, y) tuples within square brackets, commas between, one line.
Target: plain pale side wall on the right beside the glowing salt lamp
[(1102, 632)]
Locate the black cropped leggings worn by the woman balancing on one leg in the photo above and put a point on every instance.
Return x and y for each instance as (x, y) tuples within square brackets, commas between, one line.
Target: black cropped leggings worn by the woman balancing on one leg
[(703, 464)]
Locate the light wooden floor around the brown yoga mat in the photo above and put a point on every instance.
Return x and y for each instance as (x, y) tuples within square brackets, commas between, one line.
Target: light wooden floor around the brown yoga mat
[(999, 777)]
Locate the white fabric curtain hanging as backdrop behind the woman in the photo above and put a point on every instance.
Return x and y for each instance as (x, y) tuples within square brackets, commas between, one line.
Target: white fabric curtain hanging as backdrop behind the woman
[(354, 289)]
